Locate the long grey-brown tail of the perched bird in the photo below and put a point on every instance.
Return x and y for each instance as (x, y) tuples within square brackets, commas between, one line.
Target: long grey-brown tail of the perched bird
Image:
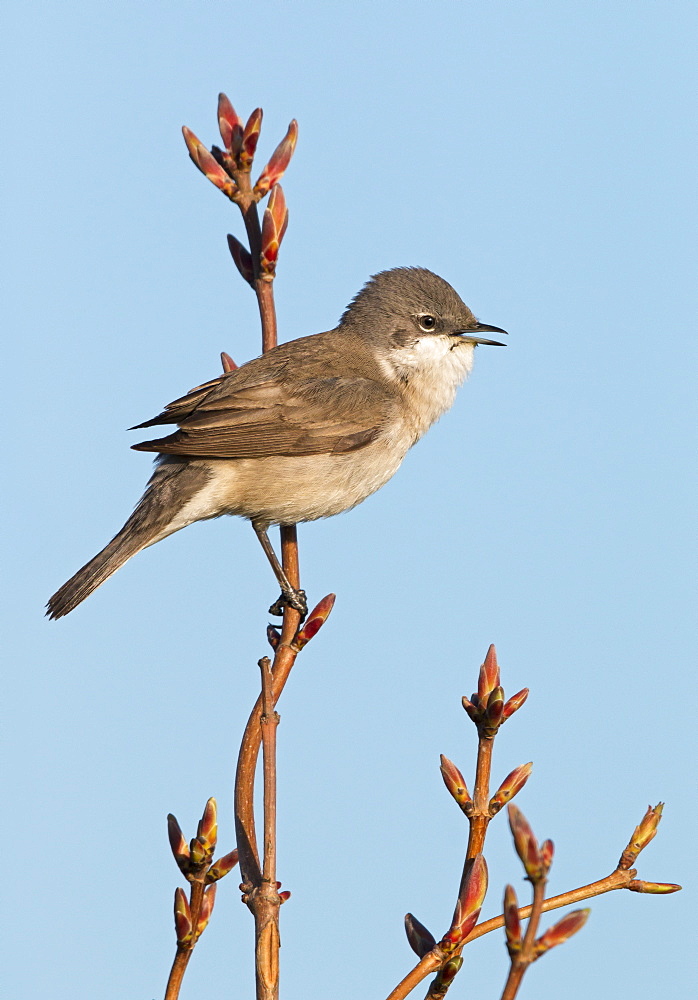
[(171, 487)]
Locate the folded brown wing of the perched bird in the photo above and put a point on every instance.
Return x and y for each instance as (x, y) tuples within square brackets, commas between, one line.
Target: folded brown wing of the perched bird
[(243, 416)]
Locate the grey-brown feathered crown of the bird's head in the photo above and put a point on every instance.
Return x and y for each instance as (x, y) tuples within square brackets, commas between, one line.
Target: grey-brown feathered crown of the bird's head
[(403, 292)]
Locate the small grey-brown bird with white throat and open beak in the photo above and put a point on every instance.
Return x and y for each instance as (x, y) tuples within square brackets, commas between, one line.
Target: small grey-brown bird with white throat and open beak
[(307, 430)]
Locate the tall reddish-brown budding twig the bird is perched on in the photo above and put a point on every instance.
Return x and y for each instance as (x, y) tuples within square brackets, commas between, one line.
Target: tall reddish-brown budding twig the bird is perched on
[(229, 169)]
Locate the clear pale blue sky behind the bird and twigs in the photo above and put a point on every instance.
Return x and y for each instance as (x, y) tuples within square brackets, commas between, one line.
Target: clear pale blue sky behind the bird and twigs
[(541, 157)]
